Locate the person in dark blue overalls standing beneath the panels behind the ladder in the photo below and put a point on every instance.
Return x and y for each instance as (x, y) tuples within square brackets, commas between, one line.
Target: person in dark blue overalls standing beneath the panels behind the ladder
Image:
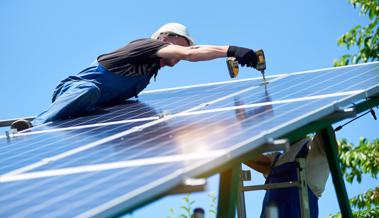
[(282, 168)]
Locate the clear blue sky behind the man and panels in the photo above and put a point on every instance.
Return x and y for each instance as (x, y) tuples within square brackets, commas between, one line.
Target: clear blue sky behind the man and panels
[(42, 42)]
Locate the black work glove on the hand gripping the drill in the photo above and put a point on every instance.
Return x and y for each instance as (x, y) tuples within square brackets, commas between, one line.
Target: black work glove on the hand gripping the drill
[(244, 56)]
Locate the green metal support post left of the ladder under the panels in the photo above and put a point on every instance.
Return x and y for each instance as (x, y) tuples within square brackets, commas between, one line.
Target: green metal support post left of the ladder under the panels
[(228, 192)]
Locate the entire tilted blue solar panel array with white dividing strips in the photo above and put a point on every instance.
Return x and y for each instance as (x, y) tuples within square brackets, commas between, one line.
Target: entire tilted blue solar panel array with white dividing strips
[(118, 158)]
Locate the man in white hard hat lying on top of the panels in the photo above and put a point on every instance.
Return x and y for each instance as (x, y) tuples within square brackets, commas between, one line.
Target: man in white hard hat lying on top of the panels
[(122, 74)]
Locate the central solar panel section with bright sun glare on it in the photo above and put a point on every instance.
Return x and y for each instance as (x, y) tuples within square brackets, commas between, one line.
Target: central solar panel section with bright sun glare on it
[(189, 134)]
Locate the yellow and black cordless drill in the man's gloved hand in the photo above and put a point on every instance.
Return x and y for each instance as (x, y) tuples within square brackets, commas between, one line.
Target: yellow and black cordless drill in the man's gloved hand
[(233, 68)]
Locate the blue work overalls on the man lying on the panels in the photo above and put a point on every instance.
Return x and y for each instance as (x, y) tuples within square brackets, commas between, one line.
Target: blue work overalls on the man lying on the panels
[(91, 88)]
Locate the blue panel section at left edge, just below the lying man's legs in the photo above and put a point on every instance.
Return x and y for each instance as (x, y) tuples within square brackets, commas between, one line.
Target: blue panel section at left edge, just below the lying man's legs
[(23, 150)]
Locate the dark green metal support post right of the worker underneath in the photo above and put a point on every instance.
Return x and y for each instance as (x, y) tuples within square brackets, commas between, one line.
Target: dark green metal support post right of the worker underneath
[(330, 147)]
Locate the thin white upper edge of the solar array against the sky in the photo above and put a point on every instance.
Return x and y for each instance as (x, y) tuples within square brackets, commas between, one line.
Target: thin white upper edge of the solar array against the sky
[(253, 78)]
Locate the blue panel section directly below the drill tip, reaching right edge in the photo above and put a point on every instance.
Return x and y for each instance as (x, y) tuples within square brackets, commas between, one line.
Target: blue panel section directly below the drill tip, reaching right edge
[(328, 82)]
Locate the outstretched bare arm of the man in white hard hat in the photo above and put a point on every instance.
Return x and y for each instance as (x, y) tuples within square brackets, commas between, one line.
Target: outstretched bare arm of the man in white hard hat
[(193, 53)]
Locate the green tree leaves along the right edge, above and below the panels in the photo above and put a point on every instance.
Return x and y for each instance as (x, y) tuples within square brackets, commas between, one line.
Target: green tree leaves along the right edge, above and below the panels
[(364, 158)]
